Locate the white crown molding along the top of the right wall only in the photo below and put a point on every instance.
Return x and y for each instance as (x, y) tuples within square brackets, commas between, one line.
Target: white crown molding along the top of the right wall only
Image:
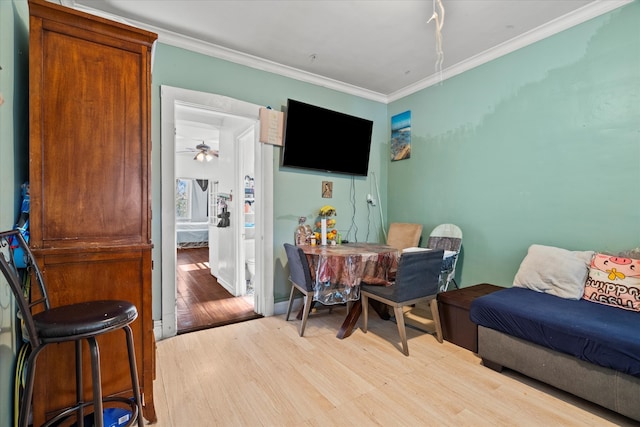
[(551, 28)]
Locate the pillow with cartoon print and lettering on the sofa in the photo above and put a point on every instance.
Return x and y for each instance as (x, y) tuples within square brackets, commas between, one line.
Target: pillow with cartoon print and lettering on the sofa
[(615, 281)]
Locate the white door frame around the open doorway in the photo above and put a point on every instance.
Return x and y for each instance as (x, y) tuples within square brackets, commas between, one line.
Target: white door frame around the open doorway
[(264, 199)]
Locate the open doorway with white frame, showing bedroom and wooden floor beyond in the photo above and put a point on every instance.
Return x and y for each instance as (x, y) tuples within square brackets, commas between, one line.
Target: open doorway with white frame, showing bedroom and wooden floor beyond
[(204, 273)]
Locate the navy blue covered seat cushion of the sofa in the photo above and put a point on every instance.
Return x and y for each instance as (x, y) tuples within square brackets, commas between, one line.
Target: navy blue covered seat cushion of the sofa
[(595, 333)]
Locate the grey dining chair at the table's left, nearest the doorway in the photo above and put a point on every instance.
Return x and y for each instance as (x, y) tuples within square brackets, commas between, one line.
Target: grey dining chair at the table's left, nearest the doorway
[(300, 278)]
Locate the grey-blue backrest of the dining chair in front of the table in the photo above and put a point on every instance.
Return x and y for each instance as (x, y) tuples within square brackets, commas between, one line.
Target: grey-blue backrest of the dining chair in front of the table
[(418, 274)]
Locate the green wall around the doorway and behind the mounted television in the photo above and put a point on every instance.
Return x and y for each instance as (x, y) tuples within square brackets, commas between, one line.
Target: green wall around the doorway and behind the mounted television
[(296, 193)]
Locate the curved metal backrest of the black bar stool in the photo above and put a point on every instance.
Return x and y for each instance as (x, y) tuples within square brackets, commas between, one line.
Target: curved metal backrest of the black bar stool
[(25, 279)]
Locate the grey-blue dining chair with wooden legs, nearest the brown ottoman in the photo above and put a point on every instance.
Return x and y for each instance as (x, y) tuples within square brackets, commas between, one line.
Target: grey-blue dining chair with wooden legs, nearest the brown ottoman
[(416, 281)]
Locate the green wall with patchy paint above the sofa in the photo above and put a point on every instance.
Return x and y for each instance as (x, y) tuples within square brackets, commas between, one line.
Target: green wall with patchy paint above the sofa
[(539, 146)]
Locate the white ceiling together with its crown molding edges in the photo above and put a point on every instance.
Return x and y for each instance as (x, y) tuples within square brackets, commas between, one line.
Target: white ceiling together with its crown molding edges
[(377, 49)]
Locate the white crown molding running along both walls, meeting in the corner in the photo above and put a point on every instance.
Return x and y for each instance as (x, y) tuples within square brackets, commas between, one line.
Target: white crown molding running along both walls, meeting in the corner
[(562, 23)]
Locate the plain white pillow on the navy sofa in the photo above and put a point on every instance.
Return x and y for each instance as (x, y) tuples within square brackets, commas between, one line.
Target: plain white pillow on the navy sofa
[(554, 271)]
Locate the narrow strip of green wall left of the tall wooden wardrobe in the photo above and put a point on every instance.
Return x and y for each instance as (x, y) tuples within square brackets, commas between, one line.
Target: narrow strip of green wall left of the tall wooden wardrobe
[(14, 48)]
